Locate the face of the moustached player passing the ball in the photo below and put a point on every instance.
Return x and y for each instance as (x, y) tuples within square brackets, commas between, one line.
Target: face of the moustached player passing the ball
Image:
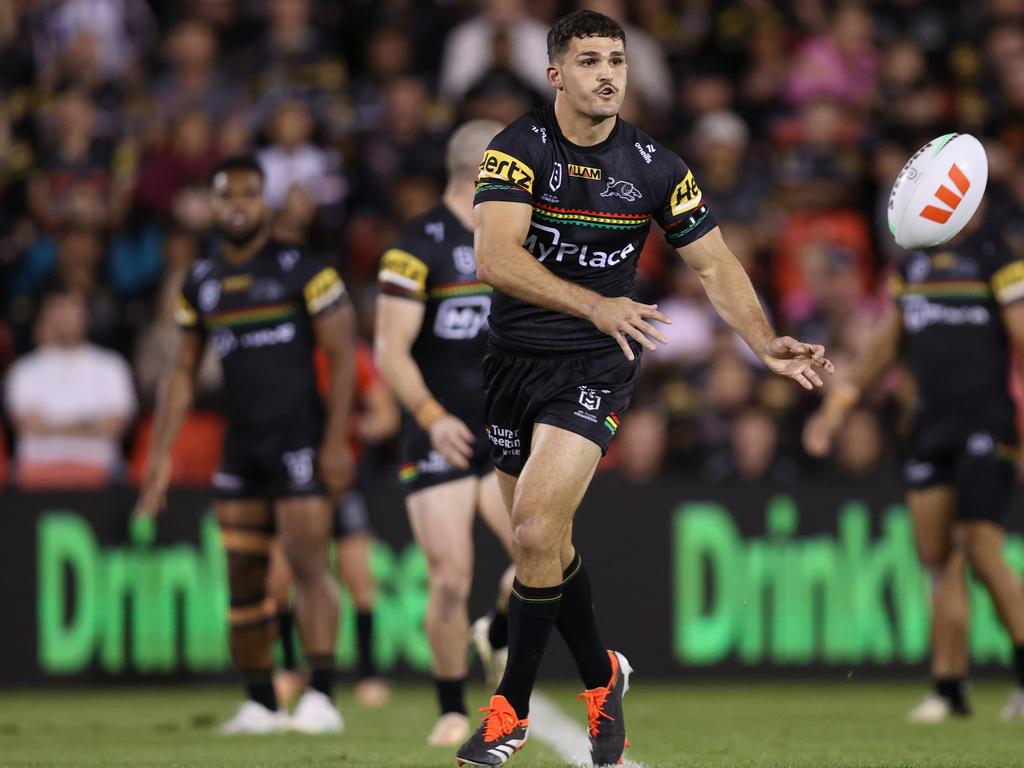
[(592, 76)]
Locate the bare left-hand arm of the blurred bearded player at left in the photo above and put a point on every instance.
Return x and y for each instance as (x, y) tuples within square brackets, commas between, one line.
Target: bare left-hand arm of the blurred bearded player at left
[(176, 402)]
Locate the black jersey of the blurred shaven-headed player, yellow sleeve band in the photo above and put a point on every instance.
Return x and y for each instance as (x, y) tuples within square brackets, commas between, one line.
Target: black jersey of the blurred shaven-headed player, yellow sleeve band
[(434, 263)]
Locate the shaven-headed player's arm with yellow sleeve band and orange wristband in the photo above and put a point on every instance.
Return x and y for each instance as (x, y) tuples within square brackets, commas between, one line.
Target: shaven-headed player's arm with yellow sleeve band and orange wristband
[(400, 317)]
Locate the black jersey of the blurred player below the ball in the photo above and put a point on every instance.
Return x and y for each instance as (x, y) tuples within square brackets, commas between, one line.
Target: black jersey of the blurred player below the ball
[(957, 345)]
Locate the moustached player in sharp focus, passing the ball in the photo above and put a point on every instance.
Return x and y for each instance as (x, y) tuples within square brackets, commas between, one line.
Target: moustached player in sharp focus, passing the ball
[(565, 201)]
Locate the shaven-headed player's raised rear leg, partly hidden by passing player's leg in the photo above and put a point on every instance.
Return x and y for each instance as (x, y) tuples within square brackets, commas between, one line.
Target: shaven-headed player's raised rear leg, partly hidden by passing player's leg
[(490, 633)]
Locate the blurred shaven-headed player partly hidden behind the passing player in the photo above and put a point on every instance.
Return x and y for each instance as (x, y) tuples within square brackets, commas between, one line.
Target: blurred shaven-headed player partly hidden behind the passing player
[(432, 334)]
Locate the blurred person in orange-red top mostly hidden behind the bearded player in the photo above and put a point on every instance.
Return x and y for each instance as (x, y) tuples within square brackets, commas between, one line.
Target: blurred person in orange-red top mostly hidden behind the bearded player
[(374, 420)]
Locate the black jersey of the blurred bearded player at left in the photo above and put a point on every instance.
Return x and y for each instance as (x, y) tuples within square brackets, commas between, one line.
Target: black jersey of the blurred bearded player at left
[(260, 320)]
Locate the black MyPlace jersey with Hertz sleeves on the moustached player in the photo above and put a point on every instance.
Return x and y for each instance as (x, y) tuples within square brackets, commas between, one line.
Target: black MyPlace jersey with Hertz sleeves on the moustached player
[(592, 208)]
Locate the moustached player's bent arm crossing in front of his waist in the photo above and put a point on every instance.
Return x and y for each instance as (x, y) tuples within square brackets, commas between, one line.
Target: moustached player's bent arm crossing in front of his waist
[(501, 229)]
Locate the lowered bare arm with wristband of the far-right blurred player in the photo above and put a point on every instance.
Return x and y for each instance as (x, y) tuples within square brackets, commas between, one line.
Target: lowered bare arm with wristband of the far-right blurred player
[(882, 354)]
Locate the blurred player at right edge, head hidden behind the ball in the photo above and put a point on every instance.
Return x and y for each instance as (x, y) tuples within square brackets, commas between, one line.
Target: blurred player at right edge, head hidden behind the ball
[(956, 319)]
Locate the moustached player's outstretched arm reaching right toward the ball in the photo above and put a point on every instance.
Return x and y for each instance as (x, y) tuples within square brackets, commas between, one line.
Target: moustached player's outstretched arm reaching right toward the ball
[(730, 289)]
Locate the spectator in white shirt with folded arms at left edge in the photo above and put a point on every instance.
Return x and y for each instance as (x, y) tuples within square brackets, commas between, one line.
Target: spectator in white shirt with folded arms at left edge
[(70, 403)]
